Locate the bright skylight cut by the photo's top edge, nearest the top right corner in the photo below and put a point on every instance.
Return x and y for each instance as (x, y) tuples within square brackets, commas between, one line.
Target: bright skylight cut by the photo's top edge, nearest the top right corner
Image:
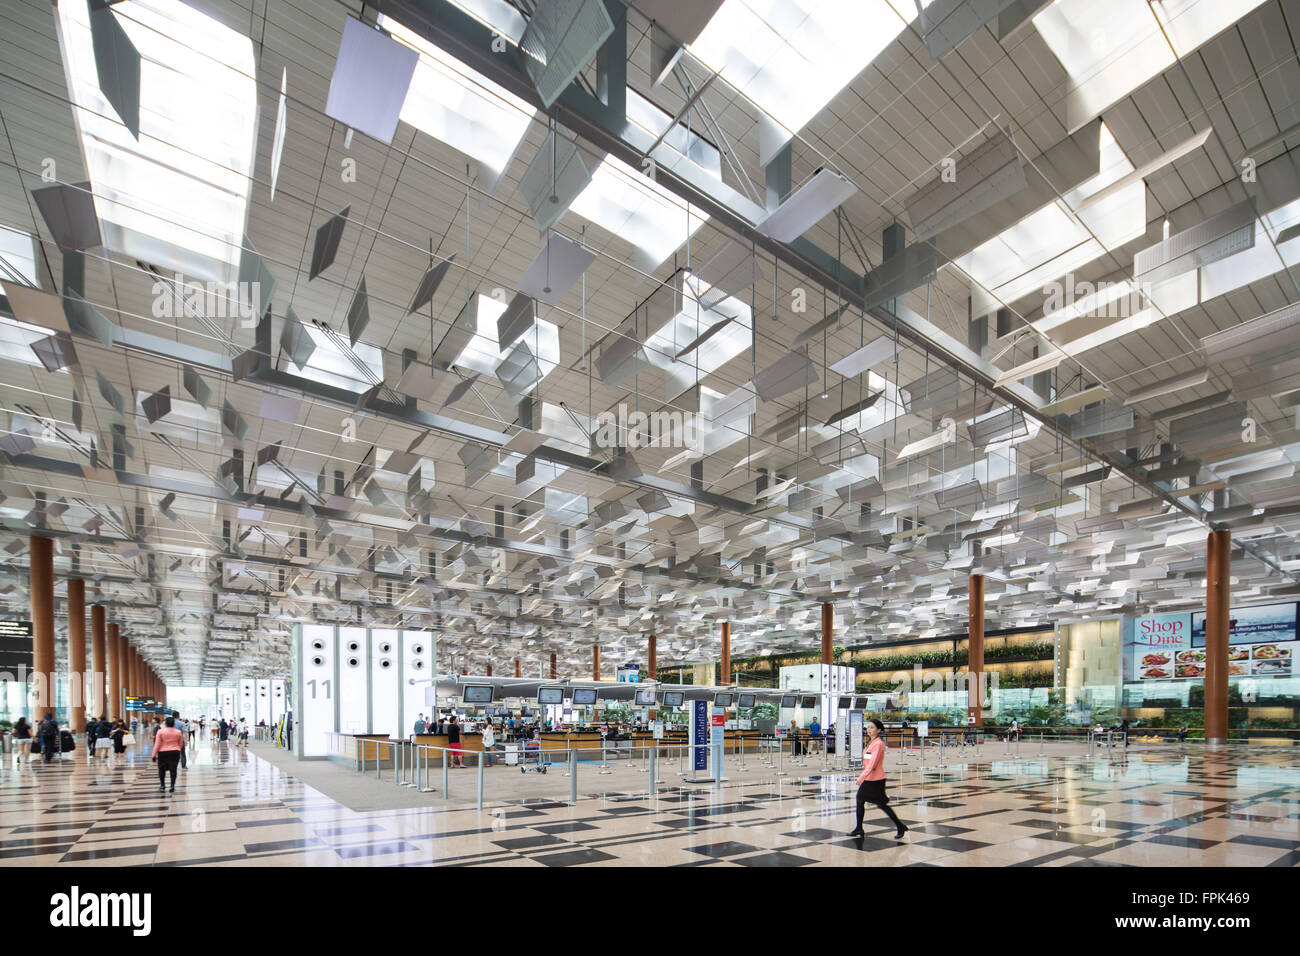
[(1112, 47)]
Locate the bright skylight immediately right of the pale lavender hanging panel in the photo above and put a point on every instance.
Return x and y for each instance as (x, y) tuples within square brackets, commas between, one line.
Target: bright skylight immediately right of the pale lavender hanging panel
[(460, 106)]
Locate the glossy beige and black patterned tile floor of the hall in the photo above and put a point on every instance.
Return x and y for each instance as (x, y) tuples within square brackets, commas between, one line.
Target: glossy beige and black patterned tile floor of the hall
[(233, 808)]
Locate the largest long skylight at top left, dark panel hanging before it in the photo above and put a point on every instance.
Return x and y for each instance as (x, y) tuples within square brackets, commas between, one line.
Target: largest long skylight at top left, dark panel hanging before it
[(179, 197)]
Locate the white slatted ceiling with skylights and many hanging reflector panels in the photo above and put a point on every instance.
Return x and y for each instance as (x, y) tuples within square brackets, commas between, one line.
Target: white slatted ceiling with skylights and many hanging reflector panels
[(999, 288)]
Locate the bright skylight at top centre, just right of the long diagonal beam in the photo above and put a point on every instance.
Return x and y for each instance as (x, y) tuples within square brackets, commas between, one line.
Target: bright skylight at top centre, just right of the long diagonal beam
[(794, 57)]
